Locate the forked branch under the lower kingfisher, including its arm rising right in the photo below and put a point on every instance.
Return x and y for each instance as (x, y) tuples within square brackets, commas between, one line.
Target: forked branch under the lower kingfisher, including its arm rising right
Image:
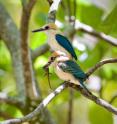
[(59, 89)]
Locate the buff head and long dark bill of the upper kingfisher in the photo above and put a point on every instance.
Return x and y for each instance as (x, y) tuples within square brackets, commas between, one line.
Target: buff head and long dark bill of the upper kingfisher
[(47, 27)]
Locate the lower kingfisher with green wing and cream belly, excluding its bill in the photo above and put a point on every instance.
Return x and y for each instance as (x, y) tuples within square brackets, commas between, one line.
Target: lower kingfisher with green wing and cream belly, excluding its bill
[(68, 70)]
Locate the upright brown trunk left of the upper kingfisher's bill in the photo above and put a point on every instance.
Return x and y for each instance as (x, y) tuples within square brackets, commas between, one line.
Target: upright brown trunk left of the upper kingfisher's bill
[(31, 90)]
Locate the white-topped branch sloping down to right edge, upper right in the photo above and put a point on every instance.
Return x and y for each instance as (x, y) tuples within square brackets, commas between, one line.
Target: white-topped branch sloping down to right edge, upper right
[(88, 29)]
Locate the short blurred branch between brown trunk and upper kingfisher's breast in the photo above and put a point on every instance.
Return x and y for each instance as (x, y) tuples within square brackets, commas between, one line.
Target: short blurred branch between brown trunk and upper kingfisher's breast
[(39, 51)]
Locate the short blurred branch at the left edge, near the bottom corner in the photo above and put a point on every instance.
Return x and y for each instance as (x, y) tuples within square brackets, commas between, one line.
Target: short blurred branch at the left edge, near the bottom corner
[(11, 100)]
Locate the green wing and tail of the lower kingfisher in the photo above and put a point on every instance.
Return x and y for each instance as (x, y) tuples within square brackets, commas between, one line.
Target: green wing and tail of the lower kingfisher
[(73, 68)]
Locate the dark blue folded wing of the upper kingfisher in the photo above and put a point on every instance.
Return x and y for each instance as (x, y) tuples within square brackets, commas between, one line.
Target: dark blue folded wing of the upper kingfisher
[(65, 43)]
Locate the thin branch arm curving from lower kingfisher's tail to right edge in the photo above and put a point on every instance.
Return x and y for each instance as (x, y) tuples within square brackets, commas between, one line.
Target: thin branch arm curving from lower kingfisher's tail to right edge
[(101, 63)]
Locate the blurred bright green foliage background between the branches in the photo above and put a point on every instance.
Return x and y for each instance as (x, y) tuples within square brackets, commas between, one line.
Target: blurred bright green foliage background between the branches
[(102, 16)]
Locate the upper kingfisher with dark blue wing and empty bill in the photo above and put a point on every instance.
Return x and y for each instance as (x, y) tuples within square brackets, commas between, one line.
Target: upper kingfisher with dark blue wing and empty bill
[(57, 41)]
